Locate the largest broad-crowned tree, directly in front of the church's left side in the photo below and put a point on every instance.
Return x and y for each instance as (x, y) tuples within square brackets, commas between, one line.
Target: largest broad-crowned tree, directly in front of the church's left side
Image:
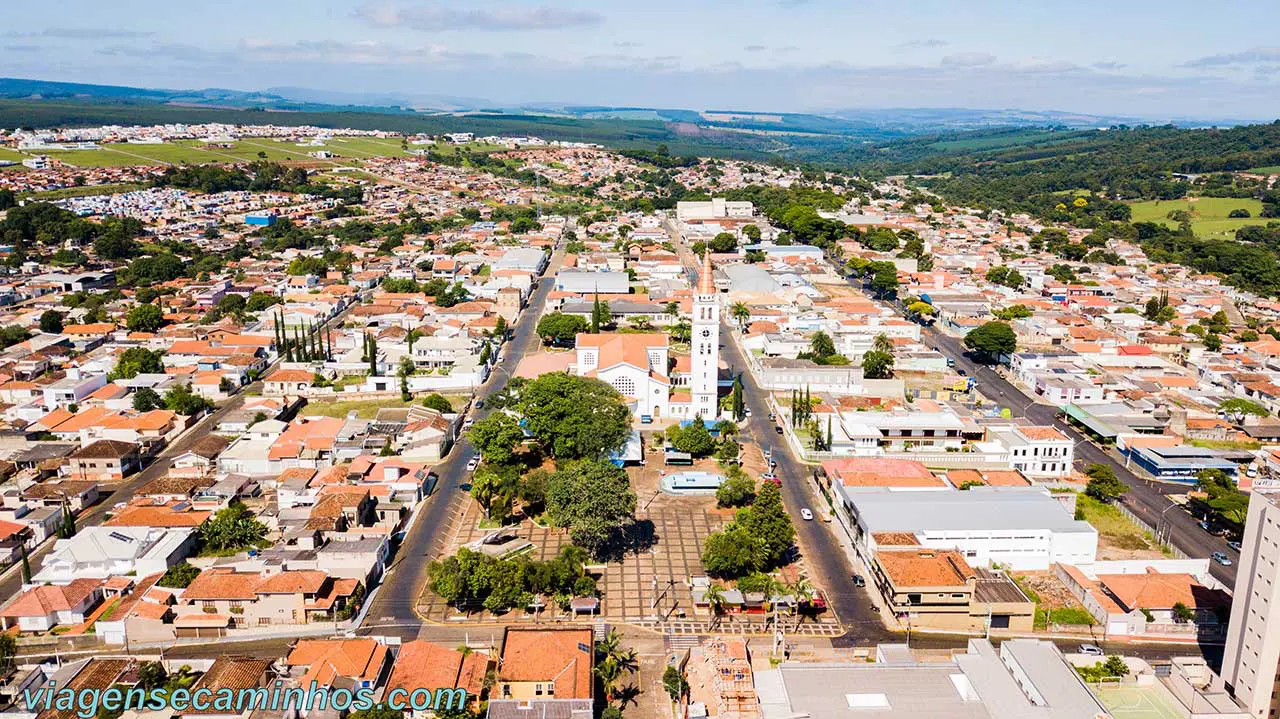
[(575, 418)]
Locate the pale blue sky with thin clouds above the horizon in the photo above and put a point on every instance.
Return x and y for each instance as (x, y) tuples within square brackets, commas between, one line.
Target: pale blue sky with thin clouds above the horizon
[(1130, 58)]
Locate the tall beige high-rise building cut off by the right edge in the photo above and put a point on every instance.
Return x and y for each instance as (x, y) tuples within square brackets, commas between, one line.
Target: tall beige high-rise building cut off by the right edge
[(1251, 661)]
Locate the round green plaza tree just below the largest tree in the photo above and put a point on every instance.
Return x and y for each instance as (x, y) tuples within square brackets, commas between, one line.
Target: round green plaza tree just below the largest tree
[(595, 501)]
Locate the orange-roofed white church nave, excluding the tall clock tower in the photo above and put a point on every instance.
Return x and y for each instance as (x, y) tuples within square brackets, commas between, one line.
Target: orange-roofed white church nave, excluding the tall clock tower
[(633, 364)]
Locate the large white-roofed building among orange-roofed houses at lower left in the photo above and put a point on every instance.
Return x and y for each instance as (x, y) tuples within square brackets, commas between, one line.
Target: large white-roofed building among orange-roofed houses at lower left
[(115, 552)]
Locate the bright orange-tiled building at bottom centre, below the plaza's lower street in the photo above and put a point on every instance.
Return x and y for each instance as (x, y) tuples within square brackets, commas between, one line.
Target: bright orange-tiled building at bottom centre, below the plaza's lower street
[(545, 674)]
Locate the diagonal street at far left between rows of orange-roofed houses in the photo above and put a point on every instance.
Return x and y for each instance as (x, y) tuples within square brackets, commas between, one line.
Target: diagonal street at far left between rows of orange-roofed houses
[(11, 583)]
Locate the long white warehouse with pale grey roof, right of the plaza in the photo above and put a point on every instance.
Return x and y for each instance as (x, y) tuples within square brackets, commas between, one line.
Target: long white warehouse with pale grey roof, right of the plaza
[(1017, 528)]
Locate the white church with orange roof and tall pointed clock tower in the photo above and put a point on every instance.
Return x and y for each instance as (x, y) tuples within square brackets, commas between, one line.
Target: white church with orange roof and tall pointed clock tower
[(638, 365)]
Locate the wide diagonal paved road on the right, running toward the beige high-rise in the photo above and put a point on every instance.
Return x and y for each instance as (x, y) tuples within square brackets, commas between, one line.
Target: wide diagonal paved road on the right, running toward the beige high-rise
[(1148, 500)]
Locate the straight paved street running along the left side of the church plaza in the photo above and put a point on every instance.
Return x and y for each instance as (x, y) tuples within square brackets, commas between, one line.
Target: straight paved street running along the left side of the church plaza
[(394, 604)]
